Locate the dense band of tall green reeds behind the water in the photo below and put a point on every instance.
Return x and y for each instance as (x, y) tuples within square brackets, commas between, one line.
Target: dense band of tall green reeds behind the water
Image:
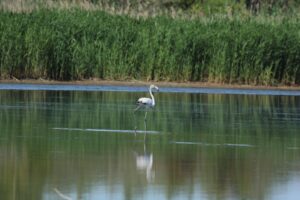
[(77, 44)]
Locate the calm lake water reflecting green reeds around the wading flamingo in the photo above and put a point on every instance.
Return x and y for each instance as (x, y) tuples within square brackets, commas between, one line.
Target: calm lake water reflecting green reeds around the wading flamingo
[(78, 142)]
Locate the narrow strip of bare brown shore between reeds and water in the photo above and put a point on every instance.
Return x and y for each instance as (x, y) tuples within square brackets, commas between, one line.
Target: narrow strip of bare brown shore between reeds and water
[(146, 83)]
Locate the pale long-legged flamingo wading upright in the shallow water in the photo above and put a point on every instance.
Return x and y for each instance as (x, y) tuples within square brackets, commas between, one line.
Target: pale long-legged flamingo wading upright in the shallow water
[(147, 103)]
